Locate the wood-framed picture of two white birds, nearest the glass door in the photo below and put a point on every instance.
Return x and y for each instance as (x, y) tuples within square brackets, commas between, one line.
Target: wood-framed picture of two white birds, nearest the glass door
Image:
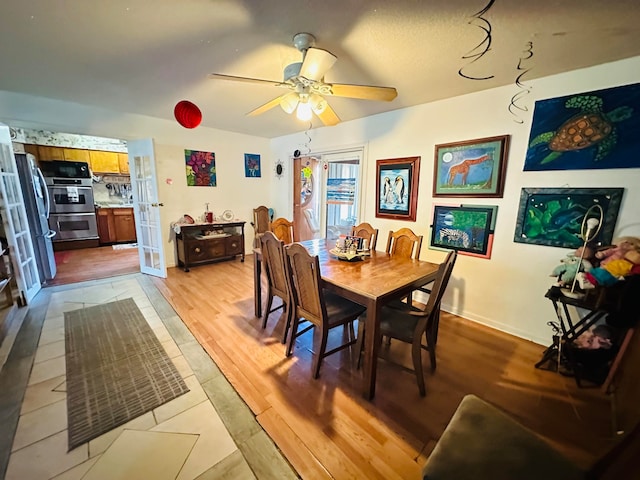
[(397, 188)]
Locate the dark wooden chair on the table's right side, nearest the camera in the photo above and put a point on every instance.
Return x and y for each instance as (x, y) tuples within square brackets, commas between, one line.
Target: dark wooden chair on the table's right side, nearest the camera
[(412, 325)]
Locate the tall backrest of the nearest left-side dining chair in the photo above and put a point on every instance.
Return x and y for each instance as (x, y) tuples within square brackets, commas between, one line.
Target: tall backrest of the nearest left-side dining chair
[(306, 284)]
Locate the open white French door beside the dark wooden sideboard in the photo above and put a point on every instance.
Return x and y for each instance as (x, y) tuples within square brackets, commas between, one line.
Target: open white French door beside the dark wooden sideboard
[(144, 186)]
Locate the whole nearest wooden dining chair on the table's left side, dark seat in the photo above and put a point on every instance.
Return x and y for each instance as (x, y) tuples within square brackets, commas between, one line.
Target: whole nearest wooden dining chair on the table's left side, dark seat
[(323, 309)]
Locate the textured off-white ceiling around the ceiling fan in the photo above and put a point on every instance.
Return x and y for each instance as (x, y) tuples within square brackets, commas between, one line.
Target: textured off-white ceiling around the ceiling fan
[(143, 56)]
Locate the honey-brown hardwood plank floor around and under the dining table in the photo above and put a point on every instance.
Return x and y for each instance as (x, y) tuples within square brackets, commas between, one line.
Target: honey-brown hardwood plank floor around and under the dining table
[(327, 430)]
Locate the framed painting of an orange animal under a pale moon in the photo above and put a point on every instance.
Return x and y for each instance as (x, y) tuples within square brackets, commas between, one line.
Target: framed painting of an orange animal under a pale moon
[(474, 168)]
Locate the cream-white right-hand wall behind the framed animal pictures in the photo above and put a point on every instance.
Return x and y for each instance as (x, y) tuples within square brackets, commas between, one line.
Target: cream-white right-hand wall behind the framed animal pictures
[(507, 291)]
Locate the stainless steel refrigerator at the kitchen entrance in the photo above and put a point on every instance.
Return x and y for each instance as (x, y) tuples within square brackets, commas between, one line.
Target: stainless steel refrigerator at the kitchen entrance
[(36, 201)]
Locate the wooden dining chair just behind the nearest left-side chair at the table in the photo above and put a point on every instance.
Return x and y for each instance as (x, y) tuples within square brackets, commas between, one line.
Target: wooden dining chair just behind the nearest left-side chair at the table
[(273, 258)]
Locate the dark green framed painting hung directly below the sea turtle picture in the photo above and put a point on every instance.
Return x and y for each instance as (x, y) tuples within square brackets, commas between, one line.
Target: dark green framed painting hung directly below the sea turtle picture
[(553, 216)]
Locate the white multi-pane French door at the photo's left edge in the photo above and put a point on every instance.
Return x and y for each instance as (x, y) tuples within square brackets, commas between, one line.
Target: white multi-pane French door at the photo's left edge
[(15, 222)]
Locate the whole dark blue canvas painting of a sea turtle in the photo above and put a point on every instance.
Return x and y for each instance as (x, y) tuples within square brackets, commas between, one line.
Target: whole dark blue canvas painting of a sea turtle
[(589, 130)]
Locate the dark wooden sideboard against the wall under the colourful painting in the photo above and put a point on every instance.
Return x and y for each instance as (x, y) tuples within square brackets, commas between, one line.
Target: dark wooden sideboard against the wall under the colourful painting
[(209, 242)]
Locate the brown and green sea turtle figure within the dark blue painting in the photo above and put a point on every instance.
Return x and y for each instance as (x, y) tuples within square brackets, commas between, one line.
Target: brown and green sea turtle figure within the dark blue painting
[(591, 127)]
